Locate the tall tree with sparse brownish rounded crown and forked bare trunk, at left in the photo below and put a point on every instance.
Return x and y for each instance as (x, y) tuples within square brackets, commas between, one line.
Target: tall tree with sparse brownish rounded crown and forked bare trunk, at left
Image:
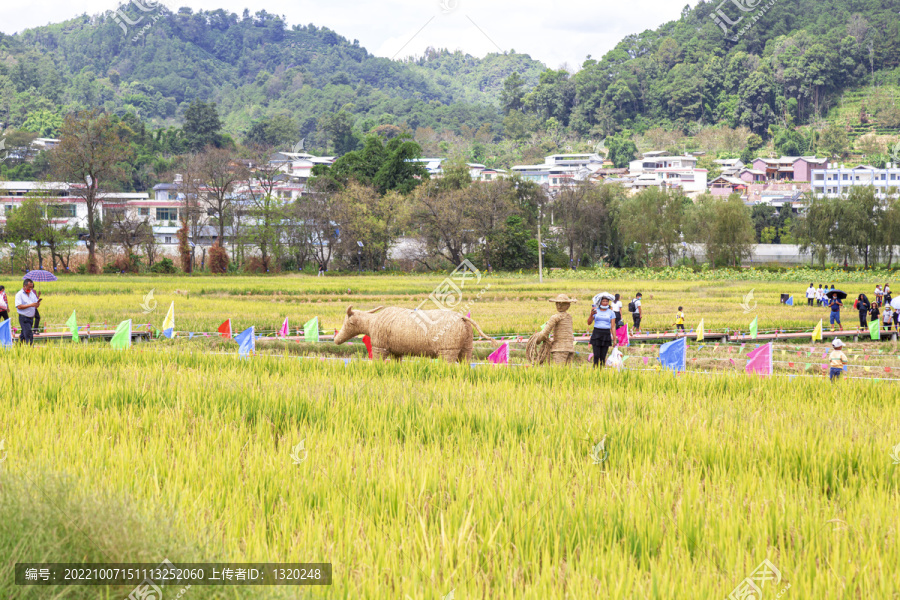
[(90, 155)]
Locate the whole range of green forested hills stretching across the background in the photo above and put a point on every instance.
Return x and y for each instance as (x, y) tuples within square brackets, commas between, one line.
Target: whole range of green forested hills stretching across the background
[(789, 68)]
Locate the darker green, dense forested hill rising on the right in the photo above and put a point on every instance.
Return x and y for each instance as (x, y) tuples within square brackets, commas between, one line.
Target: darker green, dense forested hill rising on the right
[(788, 67)]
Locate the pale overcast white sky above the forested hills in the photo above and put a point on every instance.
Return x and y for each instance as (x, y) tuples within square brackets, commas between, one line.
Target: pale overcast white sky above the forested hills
[(551, 31)]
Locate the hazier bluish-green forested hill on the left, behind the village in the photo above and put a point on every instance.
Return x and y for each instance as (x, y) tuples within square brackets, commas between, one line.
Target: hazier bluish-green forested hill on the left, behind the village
[(252, 66)]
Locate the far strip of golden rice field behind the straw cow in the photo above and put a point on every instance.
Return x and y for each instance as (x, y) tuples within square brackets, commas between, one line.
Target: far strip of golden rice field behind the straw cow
[(499, 304)]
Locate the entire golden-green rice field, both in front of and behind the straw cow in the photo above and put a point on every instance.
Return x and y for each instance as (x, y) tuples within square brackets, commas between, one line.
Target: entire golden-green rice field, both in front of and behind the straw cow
[(434, 481)]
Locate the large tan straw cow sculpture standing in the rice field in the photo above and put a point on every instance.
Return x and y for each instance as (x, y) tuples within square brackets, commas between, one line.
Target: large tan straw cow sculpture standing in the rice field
[(399, 332)]
